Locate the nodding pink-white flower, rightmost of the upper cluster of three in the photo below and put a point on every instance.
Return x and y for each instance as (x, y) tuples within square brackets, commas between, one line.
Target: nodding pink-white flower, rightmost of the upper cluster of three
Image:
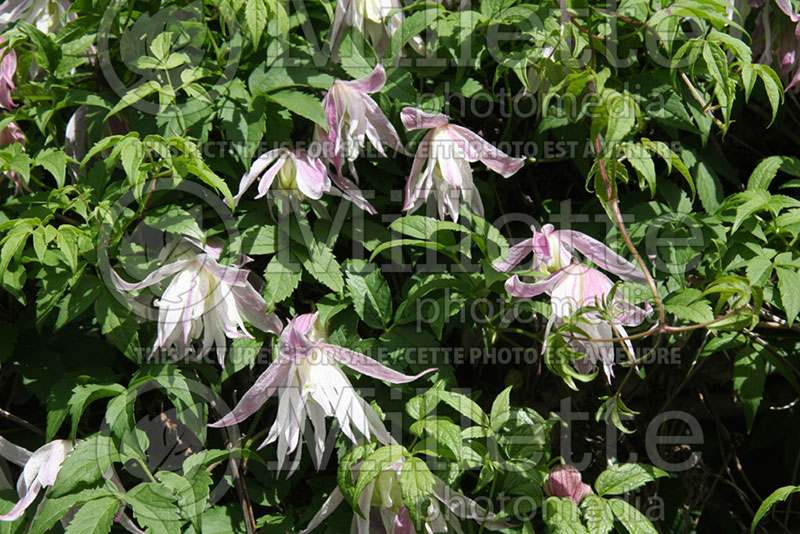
[(446, 153)]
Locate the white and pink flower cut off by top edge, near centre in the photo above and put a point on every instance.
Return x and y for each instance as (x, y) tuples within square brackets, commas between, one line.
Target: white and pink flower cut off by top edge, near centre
[(368, 17)]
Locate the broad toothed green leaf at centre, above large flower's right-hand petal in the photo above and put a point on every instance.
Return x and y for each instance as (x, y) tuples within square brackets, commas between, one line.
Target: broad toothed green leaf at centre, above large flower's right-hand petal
[(371, 295)]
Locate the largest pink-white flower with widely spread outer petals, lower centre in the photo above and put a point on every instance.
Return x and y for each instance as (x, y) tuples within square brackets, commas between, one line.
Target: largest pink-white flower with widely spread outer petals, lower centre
[(311, 385)]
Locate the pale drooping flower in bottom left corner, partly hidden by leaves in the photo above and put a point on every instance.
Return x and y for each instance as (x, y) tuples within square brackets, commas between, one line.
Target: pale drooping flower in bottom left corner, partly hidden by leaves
[(40, 470)]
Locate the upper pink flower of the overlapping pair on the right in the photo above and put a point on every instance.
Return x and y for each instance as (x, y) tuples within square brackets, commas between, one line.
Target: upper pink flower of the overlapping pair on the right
[(554, 249)]
